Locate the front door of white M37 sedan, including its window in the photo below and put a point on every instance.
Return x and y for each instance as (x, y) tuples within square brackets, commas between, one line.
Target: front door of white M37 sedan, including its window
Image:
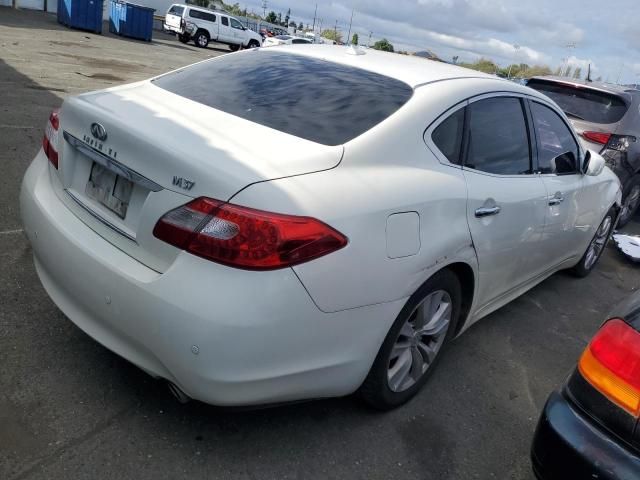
[(558, 157)]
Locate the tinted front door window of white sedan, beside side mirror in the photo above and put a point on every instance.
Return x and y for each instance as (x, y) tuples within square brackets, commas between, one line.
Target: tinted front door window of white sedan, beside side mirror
[(557, 149)]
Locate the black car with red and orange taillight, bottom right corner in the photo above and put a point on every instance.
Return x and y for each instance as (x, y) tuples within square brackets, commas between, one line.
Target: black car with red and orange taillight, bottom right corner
[(589, 428)]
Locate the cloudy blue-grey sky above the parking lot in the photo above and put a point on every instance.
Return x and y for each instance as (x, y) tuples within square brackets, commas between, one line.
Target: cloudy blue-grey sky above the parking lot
[(606, 33)]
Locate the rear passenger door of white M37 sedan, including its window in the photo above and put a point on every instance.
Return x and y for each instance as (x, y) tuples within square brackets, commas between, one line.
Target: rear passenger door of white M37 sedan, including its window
[(507, 201)]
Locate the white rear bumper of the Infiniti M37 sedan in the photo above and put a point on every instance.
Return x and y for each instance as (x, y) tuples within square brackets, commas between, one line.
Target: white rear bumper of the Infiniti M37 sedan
[(224, 336)]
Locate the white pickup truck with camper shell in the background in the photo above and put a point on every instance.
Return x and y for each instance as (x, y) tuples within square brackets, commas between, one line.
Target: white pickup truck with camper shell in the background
[(201, 25)]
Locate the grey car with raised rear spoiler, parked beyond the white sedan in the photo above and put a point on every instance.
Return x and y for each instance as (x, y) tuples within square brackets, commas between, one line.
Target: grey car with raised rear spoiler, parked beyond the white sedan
[(607, 118)]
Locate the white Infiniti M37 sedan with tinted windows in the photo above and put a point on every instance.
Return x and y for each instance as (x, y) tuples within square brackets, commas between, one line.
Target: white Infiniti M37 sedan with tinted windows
[(255, 242)]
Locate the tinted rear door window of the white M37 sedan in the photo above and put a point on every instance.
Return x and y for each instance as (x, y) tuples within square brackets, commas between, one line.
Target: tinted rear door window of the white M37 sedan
[(498, 139)]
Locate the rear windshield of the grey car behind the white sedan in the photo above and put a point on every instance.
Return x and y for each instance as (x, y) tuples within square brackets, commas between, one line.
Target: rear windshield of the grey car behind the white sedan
[(583, 103)]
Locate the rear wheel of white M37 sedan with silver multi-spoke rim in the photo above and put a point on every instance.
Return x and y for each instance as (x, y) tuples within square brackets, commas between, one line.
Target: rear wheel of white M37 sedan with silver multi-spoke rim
[(414, 343)]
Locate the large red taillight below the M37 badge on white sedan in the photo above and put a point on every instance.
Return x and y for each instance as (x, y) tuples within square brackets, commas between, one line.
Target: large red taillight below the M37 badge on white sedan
[(244, 237)]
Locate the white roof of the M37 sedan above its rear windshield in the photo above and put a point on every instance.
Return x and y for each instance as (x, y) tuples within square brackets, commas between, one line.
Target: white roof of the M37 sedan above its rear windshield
[(407, 68)]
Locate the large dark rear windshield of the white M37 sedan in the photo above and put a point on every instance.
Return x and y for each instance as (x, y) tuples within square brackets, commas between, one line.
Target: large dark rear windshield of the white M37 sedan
[(314, 99)]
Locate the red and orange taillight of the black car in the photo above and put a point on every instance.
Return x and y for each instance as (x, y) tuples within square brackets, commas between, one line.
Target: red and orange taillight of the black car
[(611, 363)]
